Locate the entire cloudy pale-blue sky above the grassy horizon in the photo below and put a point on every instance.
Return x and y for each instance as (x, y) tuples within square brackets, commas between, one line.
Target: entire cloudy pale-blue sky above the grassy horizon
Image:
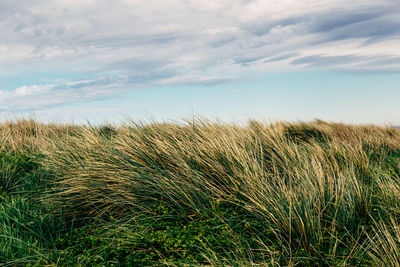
[(228, 60)]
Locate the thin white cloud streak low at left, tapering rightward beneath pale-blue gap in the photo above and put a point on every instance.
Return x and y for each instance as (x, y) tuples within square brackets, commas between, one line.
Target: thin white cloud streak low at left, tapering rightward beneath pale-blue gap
[(37, 97)]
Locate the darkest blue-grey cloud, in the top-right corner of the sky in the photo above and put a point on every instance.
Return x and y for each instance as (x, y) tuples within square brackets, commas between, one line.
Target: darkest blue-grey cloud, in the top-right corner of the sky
[(371, 22)]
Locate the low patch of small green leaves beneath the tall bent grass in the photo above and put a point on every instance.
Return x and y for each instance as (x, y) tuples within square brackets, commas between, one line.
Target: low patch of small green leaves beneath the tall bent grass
[(166, 237)]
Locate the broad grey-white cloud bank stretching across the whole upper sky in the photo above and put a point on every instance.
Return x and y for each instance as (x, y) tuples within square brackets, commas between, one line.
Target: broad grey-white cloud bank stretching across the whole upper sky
[(131, 44)]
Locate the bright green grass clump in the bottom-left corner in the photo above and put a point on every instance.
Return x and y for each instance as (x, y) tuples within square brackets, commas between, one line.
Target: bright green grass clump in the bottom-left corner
[(27, 233)]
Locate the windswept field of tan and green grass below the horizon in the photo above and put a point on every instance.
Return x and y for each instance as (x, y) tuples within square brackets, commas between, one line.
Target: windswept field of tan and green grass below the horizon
[(199, 193)]
